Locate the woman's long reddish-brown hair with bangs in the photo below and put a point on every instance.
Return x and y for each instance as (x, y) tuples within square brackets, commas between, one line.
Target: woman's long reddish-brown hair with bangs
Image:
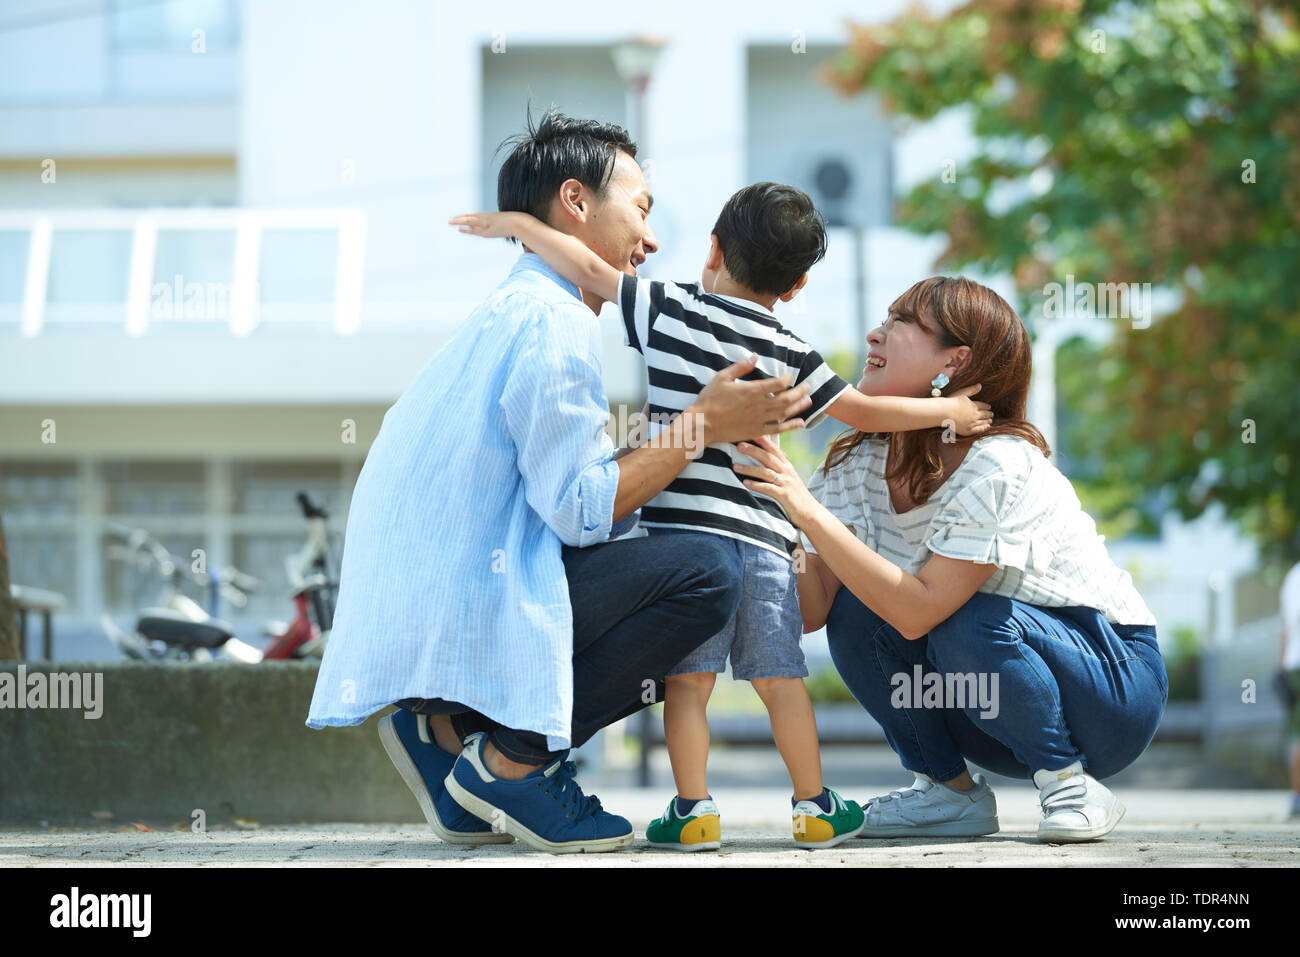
[(967, 314)]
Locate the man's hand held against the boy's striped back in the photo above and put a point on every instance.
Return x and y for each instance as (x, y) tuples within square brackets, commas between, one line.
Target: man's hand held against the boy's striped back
[(730, 410)]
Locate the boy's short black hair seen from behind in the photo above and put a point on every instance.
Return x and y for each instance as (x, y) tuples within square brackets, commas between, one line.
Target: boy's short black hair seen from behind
[(770, 235)]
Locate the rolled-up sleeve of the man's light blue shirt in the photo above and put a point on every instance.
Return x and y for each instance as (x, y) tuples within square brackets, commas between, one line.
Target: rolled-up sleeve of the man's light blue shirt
[(556, 414)]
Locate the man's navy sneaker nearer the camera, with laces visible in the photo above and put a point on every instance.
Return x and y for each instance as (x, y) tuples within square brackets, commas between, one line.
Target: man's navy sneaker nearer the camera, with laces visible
[(547, 811)]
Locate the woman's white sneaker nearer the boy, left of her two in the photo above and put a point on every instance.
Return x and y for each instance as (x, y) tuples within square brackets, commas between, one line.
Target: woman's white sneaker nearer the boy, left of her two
[(929, 808)]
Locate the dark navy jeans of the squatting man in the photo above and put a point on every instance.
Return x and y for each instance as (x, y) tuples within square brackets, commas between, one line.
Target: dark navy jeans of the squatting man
[(640, 607)]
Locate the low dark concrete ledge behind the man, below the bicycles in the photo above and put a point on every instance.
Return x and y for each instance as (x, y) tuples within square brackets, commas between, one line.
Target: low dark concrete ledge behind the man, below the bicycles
[(226, 738)]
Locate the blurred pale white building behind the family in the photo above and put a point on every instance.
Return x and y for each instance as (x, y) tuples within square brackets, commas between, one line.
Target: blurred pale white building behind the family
[(224, 250)]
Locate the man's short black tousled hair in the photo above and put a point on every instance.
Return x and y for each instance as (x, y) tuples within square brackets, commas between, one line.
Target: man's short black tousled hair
[(558, 149)]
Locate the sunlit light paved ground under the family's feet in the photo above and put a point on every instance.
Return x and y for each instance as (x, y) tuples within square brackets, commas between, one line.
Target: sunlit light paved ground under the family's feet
[(1163, 829)]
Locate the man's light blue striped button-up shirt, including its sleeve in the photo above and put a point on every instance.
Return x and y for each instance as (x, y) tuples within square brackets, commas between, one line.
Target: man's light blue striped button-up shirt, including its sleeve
[(452, 583)]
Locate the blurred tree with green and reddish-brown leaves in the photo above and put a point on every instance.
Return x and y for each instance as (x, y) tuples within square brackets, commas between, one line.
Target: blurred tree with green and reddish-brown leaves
[(1155, 142)]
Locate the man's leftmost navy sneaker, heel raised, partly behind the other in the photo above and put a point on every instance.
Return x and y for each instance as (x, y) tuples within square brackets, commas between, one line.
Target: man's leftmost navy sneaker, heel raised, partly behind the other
[(424, 767)]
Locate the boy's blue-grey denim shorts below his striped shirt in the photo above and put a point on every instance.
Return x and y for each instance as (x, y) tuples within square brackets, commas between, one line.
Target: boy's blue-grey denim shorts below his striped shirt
[(764, 636)]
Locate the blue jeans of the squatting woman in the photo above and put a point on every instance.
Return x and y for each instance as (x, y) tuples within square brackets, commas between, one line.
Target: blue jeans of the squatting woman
[(1071, 686)]
